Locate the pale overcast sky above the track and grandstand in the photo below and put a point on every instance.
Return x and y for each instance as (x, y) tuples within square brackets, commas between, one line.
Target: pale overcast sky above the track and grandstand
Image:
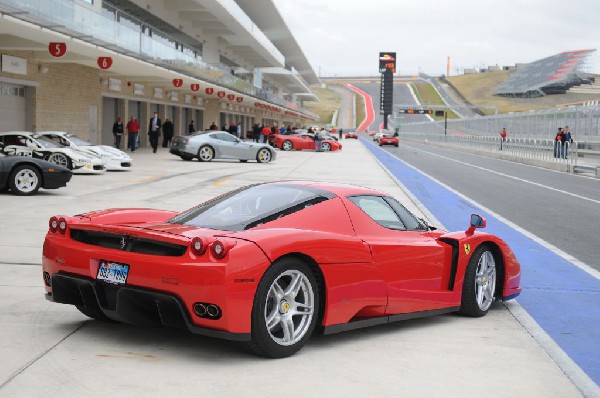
[(344, 37)]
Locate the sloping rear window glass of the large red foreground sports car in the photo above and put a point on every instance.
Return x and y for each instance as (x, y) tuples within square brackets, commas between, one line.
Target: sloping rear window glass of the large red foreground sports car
[(251, 206)]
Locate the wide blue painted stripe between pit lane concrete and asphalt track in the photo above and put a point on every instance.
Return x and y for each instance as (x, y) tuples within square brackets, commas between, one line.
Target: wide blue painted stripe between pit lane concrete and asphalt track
[(563, 299)]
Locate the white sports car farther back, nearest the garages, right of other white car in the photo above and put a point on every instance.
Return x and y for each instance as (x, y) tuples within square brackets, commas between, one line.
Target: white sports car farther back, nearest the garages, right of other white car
[(114, 158)]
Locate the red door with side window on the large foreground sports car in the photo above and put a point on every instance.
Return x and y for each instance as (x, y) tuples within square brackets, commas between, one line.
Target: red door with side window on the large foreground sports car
[(414, 264)]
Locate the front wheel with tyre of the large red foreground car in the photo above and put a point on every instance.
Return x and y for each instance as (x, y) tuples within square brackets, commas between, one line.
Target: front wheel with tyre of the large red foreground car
[(479, 287)]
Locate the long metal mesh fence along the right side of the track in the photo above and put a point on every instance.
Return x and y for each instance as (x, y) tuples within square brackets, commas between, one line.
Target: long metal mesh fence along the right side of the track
[(583, 121)]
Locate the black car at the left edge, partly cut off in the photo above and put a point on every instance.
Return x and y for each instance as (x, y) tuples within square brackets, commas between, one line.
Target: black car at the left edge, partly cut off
[(24, 175)]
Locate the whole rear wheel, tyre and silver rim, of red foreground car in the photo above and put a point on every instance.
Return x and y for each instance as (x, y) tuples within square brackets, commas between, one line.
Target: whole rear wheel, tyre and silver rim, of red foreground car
[(285, 309)]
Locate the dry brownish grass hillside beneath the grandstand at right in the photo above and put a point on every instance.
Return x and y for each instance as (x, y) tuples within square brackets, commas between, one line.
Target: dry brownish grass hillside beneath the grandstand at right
[(477, 88)]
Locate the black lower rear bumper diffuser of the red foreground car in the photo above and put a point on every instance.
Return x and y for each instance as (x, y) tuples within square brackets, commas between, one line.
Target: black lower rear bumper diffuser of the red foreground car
[(131, 305)]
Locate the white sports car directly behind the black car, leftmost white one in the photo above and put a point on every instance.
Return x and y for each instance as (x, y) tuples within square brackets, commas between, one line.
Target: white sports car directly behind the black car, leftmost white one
[(24, 143)]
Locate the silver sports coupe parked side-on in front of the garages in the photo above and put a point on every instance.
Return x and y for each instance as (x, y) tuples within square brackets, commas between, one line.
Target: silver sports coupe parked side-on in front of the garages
[(209, 145)]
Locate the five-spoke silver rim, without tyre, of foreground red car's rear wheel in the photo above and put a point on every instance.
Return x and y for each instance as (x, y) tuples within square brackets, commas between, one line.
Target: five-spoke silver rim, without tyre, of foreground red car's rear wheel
[(289, 307)]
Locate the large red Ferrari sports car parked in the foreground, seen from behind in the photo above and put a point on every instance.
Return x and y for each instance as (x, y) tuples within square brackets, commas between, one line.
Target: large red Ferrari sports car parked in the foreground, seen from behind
[(268, 264)]
